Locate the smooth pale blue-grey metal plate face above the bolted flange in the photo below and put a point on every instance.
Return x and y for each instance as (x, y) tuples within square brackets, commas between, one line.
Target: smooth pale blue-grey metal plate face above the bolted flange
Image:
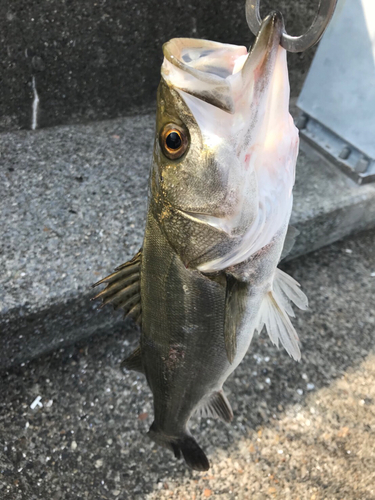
[(339, 91)]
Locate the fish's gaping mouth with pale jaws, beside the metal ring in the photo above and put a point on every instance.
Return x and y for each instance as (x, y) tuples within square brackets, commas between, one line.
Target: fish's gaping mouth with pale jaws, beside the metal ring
[(207, 69)]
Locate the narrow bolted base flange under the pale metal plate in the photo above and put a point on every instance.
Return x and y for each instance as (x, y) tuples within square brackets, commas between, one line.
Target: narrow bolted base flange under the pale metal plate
[(349, 159)]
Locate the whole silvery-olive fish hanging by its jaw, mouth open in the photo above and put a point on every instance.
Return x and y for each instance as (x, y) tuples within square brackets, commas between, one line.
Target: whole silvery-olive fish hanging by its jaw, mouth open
[(220, 199)]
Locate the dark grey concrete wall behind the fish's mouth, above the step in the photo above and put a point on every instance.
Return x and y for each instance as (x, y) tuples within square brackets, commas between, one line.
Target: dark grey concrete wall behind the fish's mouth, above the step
[(92, 60)]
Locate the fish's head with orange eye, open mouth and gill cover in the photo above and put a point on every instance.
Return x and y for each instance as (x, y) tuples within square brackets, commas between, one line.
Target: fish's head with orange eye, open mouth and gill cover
[(225, 145)]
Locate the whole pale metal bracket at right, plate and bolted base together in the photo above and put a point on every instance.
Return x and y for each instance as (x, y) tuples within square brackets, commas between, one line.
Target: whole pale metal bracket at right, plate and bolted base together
[(338, 97)]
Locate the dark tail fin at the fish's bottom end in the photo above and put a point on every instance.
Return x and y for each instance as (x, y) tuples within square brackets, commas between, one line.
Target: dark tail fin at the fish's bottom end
[(193, 454)]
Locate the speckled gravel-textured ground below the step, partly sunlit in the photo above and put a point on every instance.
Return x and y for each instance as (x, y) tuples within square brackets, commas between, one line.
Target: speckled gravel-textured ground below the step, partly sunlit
[(300, 431)]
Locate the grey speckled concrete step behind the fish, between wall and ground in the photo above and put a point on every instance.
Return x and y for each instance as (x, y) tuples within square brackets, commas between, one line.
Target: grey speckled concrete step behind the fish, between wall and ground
[(73, 207)]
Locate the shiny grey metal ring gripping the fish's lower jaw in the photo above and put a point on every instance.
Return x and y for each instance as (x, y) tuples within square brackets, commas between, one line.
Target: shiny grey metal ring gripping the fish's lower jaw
[(295, 43)]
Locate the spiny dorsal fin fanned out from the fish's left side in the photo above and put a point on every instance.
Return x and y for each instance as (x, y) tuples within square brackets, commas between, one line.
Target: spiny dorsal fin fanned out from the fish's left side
[(123, 288)]
